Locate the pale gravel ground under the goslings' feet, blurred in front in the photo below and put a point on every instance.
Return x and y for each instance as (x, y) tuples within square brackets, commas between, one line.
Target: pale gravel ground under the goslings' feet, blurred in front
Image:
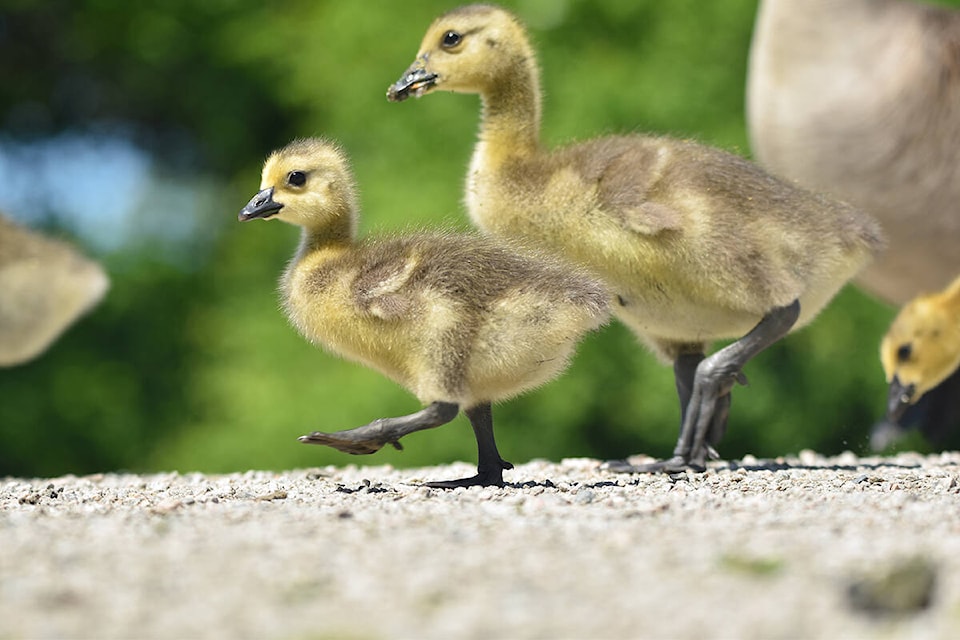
[(802, 547)]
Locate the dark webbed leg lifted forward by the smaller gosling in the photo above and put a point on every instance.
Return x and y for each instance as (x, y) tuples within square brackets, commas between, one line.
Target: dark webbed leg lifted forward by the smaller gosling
[(371, 437)]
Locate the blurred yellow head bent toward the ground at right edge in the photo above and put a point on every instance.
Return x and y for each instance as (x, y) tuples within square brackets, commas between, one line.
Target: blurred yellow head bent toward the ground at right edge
[(920, 350)]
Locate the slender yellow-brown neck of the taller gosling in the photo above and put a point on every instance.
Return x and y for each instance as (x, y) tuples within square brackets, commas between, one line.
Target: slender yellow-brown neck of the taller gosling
[(510, 119)]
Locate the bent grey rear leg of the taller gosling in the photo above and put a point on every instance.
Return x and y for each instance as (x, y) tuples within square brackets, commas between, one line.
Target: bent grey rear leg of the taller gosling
[(706, 416)]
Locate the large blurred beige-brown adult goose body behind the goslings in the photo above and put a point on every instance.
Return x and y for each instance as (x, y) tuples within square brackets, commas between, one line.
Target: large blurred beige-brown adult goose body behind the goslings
[(861, 99)]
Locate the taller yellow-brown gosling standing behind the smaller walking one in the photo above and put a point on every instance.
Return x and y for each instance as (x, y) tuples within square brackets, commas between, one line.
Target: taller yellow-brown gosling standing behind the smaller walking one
[(695, 244)]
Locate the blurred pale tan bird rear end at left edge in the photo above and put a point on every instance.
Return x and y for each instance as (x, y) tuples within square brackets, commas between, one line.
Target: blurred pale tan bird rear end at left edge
[(45, 285)]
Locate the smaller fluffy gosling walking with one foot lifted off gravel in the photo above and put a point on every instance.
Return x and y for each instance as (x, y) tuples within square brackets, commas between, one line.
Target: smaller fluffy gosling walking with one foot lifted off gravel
[(461, 321)]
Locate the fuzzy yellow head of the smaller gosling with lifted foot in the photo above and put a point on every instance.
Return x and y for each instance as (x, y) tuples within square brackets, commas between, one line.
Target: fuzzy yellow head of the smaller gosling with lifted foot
[(307, 183)]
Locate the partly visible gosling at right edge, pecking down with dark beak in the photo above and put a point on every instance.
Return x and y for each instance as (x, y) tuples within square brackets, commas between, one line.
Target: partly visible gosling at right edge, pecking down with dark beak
[(920, 354)]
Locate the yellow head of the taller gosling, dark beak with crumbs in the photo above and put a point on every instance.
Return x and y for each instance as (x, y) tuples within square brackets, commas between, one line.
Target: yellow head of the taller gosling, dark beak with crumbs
[(467, 50)]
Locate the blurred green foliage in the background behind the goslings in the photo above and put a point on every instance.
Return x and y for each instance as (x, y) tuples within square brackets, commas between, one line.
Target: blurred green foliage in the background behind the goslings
[(189, 365)]
